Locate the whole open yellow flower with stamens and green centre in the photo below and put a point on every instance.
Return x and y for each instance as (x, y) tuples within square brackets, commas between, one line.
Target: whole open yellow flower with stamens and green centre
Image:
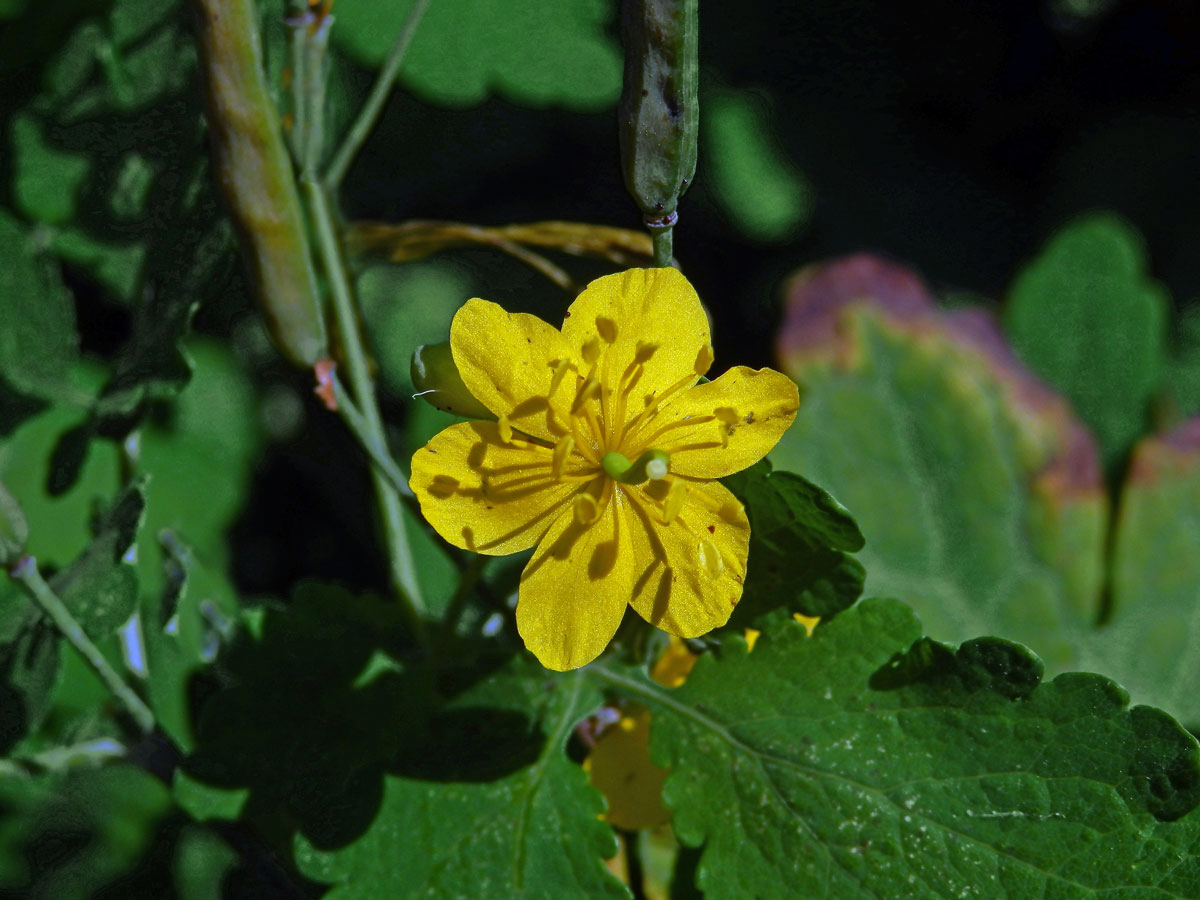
[(603, 458)]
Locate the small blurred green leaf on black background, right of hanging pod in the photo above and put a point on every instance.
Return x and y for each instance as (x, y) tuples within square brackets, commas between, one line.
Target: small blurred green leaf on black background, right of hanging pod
[(753, 181)]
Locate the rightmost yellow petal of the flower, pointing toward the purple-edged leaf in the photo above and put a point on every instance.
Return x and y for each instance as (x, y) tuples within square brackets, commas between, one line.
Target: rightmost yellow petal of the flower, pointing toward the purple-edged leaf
[(721, 428)]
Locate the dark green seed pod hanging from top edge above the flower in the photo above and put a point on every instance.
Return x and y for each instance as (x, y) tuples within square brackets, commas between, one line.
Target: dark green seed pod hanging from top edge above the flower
[(659, 112)]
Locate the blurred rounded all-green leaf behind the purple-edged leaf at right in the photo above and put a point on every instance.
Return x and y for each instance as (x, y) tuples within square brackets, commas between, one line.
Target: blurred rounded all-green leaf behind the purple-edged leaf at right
[(1087, 317)]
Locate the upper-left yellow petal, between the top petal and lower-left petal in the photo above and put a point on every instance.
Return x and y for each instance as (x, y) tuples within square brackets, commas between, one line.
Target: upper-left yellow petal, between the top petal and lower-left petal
[(507, 361)]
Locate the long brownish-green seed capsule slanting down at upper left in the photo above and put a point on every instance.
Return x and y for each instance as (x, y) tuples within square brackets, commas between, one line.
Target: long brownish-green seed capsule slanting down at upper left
[(256, 178)]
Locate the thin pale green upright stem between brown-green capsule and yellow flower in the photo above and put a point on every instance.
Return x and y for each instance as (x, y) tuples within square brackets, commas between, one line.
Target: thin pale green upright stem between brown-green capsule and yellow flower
[(404, 571)]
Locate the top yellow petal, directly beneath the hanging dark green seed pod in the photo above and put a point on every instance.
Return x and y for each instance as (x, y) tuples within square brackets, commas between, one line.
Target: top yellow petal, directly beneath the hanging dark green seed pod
[(640, 309)]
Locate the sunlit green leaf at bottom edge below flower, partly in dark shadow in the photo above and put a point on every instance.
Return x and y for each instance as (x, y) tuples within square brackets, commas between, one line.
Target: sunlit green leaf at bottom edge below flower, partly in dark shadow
[(506, 815)]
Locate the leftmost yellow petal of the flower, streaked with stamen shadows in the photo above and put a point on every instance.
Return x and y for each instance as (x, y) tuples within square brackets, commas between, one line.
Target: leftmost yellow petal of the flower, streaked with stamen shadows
[(483, 494)]
